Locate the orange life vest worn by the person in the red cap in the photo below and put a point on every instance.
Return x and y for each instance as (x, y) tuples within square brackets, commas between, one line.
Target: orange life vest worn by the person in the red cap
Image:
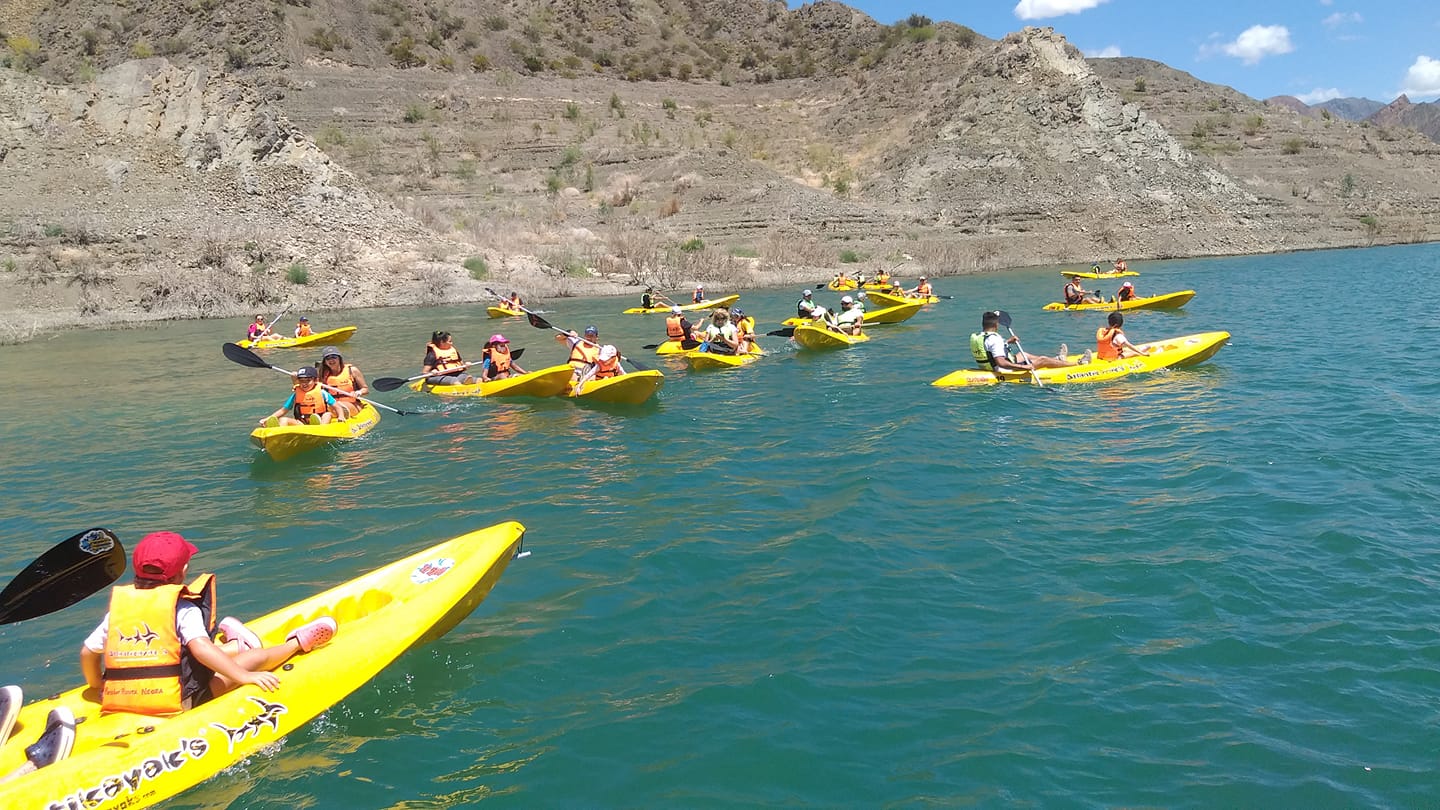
[(146, 668)]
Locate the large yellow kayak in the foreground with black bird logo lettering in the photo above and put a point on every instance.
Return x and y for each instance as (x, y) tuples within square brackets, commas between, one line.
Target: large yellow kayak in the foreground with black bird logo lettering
[(123, 760)]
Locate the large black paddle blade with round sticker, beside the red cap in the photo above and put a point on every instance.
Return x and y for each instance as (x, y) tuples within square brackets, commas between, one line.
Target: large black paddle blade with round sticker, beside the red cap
[(64, 576)]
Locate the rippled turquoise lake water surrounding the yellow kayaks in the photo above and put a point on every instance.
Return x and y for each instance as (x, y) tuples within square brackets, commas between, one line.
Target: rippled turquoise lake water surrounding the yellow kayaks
[(817, 580)]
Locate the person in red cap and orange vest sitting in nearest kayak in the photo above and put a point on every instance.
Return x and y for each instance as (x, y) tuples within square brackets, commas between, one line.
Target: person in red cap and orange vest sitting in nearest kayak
[(162, 658)]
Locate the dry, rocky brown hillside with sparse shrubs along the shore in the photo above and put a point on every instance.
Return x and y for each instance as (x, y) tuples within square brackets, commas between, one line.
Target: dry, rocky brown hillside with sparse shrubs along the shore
[(354, 155)]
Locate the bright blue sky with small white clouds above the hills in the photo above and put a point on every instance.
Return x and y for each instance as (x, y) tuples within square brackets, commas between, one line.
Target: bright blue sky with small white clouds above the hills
[(1311, 50)]
